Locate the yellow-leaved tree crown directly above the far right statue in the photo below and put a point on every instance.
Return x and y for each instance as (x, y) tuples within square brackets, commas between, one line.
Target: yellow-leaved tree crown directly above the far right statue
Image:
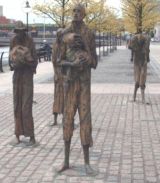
[(140, 15)]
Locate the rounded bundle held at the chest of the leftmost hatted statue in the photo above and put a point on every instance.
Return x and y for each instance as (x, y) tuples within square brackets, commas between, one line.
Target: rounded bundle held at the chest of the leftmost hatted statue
[(20, 55)]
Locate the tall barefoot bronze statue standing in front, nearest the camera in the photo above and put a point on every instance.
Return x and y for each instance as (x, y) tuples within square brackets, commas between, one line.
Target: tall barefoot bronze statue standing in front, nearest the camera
[(76, 69)]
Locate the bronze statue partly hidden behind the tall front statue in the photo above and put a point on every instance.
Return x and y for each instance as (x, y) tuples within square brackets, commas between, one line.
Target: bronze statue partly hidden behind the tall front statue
[(58, 77)]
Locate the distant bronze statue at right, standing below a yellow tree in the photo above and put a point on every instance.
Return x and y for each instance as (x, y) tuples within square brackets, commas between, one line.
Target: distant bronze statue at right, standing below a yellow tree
[(140, 47)]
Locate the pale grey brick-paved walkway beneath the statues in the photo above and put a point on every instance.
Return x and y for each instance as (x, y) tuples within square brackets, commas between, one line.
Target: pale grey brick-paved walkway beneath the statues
[(126, 135)]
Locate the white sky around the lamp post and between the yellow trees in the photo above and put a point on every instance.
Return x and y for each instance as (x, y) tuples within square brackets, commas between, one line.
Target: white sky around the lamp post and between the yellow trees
[(13, 9)]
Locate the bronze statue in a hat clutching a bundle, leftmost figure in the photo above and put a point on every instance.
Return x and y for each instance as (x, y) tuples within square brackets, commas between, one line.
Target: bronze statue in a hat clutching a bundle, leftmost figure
[(23, 61)]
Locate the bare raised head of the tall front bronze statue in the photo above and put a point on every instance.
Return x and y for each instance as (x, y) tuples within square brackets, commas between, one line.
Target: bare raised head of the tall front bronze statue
[(79, 12)]
